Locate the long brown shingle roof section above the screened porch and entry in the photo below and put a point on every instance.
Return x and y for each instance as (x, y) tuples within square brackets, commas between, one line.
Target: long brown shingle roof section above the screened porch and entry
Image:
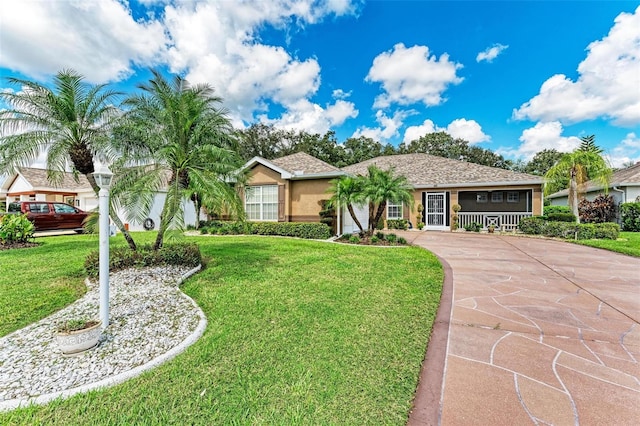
[(428, 170)]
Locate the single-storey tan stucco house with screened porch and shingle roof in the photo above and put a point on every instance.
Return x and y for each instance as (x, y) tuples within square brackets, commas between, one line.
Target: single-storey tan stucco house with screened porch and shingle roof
[(292, 188)]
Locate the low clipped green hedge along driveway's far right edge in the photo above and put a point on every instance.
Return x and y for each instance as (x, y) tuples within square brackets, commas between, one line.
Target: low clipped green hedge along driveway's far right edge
[(537, 225)]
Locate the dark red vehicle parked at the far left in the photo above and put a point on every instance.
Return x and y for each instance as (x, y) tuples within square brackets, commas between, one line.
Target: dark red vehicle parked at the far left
[(47, 215)]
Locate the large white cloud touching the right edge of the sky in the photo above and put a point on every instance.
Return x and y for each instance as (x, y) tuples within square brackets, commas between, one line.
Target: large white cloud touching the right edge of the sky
[(608, 84)]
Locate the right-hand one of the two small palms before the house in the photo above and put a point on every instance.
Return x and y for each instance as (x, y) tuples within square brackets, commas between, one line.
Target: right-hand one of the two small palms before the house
[(380, 187)]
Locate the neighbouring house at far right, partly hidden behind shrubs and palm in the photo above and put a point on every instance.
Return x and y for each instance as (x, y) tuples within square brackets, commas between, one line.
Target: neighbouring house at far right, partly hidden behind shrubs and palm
[(624, 187)]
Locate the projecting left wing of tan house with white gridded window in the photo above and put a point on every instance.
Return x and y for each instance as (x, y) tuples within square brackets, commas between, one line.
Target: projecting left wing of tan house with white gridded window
[(287, 189)]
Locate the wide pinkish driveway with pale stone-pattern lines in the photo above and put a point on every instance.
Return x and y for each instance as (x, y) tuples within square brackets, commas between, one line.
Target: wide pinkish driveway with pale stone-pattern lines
[(539, 332)]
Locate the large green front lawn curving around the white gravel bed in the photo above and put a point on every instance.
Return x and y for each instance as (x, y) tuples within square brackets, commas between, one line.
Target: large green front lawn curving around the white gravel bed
[(300, 332)]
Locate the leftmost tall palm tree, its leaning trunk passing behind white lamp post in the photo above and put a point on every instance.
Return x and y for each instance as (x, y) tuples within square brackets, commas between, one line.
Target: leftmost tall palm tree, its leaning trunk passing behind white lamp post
[(71, 123)]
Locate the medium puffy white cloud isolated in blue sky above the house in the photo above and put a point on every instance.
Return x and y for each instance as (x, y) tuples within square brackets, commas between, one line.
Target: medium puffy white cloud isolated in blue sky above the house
[(412, 75)]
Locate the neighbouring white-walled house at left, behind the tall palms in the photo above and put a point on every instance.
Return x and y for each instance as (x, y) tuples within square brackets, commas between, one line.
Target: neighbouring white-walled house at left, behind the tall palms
[(31, 184)]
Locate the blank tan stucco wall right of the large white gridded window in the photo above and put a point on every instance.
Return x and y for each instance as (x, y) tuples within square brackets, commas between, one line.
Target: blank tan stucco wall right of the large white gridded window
[(305, 199)]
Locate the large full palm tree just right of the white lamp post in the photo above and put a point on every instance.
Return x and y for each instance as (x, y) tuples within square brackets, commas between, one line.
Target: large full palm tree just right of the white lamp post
[(176, 138)]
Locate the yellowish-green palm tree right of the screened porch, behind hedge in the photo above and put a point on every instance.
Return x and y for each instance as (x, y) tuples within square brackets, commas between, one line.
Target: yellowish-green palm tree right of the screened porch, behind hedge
[(578, 166)]
